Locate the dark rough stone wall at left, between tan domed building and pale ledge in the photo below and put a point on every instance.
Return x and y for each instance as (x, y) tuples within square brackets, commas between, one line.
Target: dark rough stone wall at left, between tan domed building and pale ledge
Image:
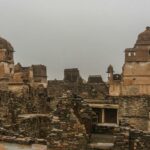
[(12, 105)]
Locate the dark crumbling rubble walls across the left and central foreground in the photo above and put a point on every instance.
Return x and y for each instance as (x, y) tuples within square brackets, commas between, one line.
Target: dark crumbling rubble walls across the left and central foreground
[(29, 119)]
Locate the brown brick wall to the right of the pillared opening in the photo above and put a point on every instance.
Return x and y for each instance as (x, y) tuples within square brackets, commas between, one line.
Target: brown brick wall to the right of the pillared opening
[(134, 111)]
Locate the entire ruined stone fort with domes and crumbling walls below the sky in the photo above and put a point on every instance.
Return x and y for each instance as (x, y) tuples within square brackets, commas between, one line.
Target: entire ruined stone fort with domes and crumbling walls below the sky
[(74, 114)]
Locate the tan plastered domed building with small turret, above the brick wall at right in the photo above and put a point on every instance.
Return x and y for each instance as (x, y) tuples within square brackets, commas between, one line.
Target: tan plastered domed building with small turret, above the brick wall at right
[(134, 79)]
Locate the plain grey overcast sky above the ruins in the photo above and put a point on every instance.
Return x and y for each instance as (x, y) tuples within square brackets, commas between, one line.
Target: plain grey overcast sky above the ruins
[(88, 34)]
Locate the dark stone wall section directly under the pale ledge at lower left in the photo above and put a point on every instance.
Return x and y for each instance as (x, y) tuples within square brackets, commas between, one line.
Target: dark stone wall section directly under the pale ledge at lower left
[(34, 125)]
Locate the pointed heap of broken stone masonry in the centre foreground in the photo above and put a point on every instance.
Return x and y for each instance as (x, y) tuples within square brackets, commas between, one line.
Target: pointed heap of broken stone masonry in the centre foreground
[(67, 133)]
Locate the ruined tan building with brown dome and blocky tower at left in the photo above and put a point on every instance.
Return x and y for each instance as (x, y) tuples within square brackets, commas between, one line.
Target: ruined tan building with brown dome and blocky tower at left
[(16, 77)]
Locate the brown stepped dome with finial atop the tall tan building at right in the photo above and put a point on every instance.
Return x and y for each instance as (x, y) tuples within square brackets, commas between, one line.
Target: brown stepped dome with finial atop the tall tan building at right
[(143, 38)]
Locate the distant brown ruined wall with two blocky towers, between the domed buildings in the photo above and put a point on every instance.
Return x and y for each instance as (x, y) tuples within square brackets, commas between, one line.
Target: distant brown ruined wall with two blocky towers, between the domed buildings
[(94, 88)]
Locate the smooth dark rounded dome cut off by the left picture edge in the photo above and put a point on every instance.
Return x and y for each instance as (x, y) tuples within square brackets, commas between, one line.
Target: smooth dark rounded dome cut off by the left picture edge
[(4, 44)]
